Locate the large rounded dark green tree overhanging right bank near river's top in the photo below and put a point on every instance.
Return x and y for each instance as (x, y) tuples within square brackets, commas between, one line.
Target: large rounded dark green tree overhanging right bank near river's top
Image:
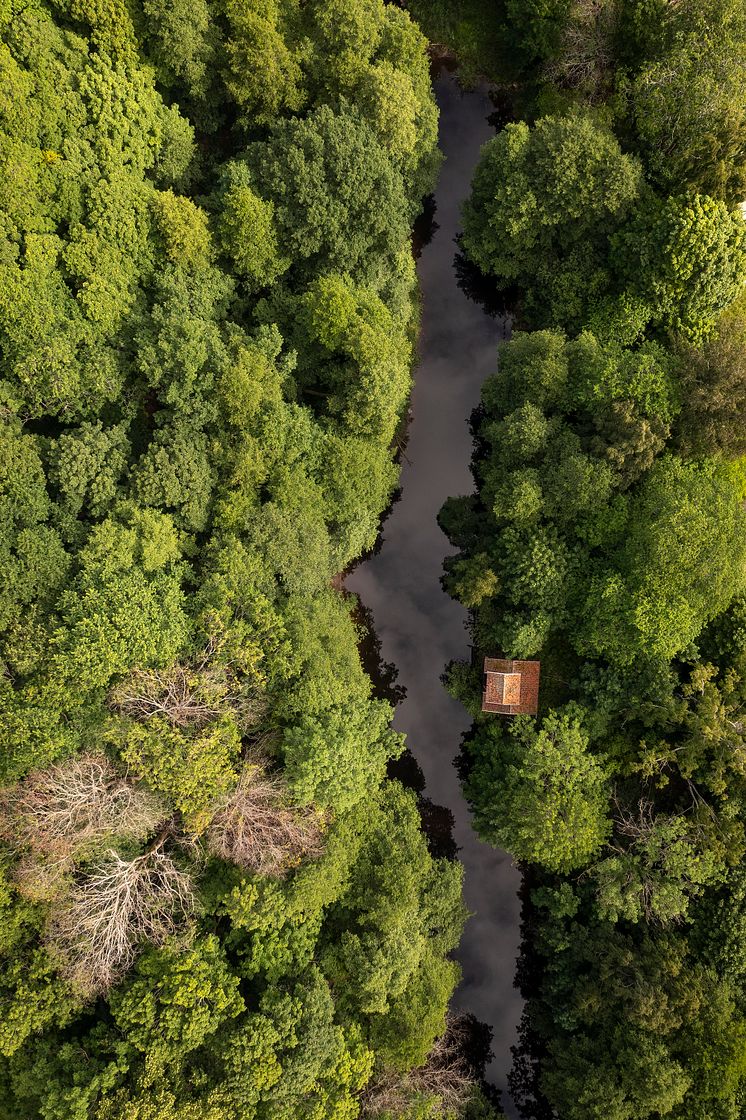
[(545, 203)]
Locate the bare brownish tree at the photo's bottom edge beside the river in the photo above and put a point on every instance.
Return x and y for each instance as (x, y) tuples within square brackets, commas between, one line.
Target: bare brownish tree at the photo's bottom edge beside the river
[(446, 1076)]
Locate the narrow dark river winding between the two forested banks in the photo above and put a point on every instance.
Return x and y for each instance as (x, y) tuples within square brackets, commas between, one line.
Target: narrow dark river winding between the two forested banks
[(419, 628)]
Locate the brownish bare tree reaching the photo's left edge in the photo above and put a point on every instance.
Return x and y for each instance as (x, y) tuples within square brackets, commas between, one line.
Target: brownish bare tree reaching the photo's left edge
[(81, 800)]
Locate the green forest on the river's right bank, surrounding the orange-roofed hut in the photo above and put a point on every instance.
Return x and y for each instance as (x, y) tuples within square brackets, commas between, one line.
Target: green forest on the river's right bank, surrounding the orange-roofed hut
[(608, 539)]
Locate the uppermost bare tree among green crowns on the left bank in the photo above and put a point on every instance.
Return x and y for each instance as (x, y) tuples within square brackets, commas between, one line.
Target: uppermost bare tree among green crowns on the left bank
[(190, 696)]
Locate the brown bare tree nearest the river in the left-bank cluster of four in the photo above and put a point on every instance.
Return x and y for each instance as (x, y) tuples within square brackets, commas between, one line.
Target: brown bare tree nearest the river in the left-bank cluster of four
[(257, 828)]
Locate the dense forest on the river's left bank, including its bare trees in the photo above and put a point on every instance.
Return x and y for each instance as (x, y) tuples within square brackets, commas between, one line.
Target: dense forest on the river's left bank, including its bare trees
[(215, 904)]
